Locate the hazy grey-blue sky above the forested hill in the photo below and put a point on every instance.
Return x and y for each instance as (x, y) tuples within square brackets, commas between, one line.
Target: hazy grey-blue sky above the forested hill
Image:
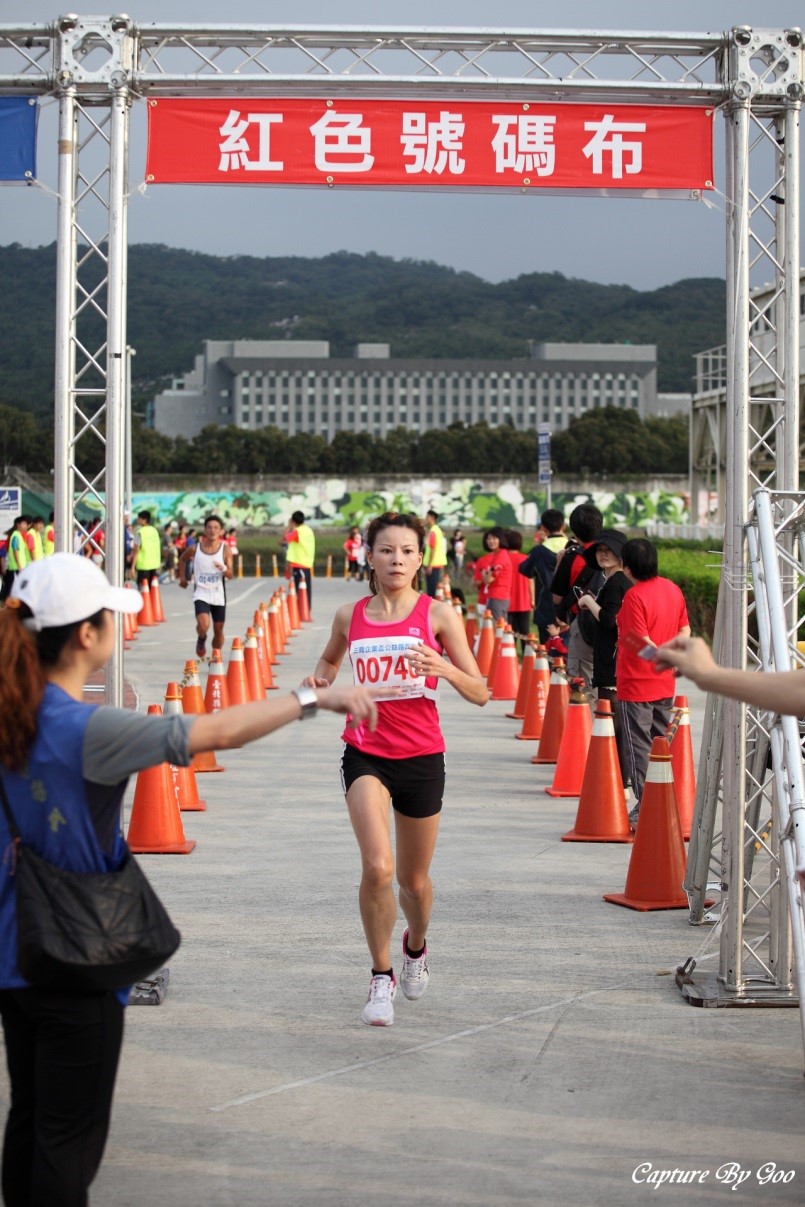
[(641, 243)]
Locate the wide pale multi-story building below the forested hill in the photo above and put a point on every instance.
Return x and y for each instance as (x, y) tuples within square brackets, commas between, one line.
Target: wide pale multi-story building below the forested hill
[(297, 387)]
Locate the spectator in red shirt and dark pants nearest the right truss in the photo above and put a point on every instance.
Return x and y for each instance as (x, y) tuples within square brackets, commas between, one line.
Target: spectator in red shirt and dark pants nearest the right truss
[(652, 614)]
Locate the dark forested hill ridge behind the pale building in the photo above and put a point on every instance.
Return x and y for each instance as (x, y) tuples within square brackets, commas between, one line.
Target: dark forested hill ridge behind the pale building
[(179, 299)]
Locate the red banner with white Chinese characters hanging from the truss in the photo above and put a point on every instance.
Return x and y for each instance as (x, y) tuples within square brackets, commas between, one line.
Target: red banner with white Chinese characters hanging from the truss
[(430, 144)]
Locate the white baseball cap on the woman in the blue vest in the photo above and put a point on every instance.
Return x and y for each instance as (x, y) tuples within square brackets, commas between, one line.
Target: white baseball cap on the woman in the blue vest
[(67, 588)]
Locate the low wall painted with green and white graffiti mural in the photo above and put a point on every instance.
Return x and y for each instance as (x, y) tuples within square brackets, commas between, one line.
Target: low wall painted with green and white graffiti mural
[(458, 502)]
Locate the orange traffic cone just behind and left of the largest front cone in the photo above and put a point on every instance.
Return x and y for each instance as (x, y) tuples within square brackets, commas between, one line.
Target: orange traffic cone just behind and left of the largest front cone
[(602, 815)]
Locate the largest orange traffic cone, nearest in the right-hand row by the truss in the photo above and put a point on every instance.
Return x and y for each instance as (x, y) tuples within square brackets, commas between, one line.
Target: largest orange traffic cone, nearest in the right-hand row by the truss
[(657, 865)]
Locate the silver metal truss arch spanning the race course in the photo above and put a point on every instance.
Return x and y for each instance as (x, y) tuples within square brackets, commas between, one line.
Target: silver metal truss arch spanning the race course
[(97, 66)]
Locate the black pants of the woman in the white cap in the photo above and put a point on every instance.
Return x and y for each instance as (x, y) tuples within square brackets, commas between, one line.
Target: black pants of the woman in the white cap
[(62, 1052)]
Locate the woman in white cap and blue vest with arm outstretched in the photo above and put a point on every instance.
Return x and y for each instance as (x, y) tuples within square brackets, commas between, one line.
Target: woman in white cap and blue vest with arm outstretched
[(65, 767)]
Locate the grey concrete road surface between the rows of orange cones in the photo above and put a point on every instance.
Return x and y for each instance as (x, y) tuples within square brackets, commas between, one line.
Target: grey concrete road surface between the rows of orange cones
[(553, 1059)]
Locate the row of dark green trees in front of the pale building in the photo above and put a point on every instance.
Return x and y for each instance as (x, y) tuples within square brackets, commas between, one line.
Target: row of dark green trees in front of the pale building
[(604, 441)]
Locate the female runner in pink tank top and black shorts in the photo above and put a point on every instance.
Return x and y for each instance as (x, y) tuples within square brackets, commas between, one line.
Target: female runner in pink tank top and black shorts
[(396, 637)]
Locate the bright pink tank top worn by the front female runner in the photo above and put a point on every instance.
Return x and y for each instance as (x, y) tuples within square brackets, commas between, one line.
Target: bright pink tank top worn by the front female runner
[(410, 725)]
